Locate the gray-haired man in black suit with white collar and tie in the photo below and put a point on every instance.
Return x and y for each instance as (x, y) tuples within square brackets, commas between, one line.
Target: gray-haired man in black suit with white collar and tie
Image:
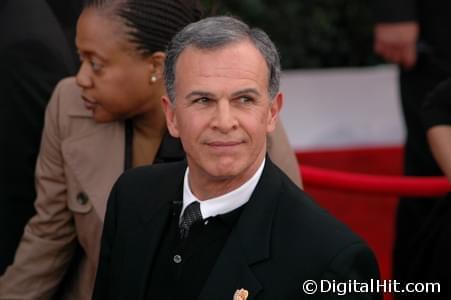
[(228, 218)]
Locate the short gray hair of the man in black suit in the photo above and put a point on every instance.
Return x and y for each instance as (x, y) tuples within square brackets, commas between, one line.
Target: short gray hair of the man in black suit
[(218, 32)]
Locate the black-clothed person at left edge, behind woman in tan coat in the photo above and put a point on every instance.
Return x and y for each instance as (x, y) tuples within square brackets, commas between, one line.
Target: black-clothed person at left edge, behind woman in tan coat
[(34, 56)]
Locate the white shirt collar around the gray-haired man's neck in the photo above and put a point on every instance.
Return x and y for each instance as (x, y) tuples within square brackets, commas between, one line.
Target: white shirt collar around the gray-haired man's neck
[(224, 203)]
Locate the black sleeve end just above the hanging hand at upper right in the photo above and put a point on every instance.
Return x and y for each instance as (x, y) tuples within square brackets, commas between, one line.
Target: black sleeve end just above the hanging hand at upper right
[(394, 10)]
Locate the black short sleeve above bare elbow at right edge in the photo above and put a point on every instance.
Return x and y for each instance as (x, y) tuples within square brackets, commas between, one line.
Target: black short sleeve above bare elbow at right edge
[(437, 107)]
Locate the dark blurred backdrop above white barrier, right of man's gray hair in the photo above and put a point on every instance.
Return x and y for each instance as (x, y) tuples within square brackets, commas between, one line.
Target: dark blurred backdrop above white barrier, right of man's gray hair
[(310, 33)]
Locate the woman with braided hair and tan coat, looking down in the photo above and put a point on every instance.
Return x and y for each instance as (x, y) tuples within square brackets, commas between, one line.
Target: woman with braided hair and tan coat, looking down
[(105, 120)]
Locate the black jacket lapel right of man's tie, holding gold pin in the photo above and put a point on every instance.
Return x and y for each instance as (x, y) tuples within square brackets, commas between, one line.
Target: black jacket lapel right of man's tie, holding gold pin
[(248, 244)]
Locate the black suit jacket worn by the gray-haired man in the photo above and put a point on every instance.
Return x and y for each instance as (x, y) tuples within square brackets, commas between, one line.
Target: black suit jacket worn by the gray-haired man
[(280, 240)]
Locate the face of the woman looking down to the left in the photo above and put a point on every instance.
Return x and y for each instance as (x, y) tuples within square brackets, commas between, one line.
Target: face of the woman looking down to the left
[(116, 81)]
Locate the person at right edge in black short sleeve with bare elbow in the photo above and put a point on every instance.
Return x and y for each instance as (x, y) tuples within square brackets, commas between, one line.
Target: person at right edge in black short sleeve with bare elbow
[(432, 261)]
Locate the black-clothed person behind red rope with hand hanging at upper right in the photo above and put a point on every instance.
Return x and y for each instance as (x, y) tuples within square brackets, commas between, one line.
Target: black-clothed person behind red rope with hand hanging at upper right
[(414, 34)]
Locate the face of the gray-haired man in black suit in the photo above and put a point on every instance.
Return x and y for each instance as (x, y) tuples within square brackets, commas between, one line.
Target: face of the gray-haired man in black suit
[(222, 111)]
